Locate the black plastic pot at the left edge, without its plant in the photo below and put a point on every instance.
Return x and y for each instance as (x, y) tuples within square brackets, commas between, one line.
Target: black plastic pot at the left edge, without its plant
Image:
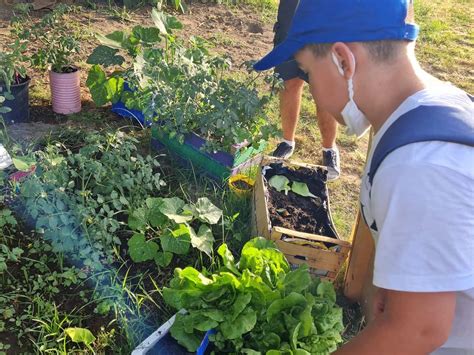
[(20, 108)]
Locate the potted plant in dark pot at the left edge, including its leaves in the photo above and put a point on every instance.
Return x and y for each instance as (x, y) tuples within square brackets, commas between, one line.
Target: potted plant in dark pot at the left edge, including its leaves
[(14, 84)]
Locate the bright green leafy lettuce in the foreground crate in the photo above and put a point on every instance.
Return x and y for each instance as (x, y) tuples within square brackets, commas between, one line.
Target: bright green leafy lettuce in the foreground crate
[(256, 306)]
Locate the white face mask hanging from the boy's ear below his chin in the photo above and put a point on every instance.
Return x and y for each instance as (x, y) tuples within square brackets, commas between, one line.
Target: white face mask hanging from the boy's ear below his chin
[(356, 122)]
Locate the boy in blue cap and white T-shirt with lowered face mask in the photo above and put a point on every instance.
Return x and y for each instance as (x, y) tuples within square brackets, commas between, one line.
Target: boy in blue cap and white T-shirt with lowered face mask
[(417, 193)]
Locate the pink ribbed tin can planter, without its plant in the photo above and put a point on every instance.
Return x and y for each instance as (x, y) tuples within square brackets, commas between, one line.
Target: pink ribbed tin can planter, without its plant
[(66, 91)]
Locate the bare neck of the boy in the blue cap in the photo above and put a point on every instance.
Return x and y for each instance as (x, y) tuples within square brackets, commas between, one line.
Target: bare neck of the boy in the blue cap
[(389, 87)]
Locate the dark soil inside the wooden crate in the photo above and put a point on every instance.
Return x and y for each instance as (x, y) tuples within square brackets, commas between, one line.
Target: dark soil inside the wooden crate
[(302, 214)]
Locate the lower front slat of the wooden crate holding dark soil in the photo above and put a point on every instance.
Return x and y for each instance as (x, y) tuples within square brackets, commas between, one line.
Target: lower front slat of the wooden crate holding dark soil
[(316, 258)]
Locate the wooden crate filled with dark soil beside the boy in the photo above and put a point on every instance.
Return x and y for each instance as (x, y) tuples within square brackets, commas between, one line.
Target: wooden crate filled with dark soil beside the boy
[(301, 227)]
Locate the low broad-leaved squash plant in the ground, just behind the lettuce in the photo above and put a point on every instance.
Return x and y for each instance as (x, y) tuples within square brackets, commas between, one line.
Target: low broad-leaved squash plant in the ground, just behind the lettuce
[(166, 226)]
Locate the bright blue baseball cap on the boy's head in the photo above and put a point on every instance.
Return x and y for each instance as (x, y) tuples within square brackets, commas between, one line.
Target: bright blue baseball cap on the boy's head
[(330, 21)]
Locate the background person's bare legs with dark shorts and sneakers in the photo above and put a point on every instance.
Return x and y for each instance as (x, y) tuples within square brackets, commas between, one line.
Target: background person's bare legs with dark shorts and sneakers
[(290, 100)]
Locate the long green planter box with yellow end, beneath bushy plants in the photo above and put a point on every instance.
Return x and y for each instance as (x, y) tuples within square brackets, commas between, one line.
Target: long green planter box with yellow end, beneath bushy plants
[(219, 165)]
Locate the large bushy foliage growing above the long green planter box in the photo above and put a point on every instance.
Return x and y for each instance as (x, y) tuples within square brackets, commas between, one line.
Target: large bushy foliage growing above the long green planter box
[(179, 85)]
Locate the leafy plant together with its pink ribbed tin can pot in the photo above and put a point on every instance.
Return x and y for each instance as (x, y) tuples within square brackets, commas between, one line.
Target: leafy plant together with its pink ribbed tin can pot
[(58, 43)]
